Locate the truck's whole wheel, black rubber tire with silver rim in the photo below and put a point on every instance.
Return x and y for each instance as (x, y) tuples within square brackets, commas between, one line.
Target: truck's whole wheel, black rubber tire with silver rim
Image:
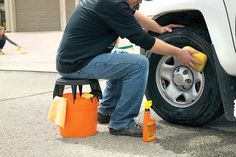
[(181, 95)]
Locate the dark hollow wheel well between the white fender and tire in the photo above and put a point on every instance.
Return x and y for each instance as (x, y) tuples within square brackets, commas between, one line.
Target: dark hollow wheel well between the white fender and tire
[(193, 18)]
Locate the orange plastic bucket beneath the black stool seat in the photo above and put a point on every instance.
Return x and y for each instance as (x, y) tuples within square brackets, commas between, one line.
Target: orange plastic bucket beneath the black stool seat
[(81, 116)]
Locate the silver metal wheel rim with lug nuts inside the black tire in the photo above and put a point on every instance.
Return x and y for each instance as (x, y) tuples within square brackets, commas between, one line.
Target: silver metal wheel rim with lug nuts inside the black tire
[(179, 85)]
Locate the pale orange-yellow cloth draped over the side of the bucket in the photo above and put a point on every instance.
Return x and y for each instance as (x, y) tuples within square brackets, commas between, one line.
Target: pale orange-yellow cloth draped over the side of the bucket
[(57, 111)]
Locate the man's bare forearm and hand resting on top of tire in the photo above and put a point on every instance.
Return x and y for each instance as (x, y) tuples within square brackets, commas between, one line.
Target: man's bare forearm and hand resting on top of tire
[(149, 24)]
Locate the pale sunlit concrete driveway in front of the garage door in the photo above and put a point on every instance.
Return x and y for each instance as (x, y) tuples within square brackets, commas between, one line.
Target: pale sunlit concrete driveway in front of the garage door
[(41, 48)]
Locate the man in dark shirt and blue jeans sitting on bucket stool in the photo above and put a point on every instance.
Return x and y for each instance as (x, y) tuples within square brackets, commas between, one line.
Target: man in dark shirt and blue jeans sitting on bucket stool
[(86, 52)]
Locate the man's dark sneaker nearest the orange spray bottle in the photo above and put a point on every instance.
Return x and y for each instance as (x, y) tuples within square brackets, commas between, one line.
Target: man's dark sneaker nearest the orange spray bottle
[(135, 131)]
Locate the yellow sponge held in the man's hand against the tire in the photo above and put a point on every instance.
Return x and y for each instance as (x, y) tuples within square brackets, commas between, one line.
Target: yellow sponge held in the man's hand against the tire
[(199, 56)]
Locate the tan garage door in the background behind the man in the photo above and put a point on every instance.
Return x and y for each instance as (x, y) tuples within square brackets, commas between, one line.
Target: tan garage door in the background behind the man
[(37, 15)]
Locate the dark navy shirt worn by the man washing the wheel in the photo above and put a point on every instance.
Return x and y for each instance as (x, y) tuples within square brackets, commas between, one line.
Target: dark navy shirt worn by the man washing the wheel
[(91, 30)]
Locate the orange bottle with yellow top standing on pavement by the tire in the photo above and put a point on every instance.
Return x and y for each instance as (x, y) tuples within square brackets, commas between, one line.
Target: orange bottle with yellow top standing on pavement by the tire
[(149, 125)]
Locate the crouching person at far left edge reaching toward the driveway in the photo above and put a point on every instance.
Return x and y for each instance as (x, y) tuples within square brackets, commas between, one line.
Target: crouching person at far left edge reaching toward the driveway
[(3, 38)]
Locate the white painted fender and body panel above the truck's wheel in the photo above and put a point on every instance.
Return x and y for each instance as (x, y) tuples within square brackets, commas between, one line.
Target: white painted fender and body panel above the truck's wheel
[(221, 29)]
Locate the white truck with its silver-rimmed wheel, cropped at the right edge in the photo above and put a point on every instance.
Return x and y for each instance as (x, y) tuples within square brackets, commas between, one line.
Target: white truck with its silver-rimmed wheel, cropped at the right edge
[(179, 94)]
